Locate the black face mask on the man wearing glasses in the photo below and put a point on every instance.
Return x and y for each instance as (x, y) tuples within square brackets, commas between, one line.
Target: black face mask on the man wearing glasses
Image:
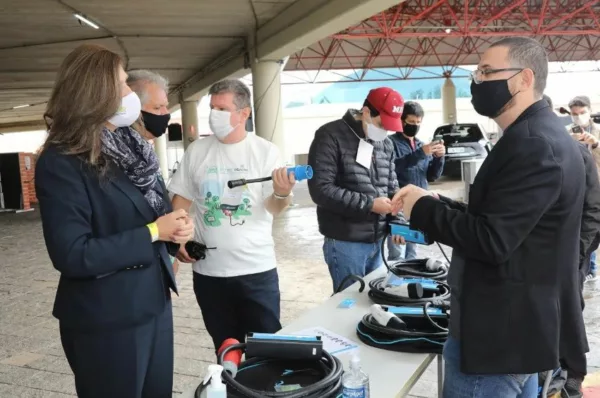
[(490, 96)]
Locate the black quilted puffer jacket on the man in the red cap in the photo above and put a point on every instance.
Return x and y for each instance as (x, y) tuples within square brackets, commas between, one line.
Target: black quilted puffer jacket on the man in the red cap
[(342, 189)]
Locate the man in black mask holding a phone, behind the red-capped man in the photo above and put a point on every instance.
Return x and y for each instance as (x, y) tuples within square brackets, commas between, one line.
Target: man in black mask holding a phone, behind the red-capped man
[(416, 163)]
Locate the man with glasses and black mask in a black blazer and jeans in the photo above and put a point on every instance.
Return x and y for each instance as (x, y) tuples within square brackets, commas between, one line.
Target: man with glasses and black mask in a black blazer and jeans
[(514, 271)]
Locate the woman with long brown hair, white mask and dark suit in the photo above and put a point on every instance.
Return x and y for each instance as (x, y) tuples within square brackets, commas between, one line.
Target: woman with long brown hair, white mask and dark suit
[(109, 229)]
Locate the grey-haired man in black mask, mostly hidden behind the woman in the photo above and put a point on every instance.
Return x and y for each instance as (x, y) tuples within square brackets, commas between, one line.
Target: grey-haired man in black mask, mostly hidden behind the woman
[(152, 90)]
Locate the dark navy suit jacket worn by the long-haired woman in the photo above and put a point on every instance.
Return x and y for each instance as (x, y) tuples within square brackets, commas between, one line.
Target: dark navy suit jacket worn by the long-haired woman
[(111, 274)]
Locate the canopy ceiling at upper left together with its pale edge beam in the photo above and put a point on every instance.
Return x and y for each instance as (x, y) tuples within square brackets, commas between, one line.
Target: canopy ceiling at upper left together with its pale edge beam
[(192, 42)]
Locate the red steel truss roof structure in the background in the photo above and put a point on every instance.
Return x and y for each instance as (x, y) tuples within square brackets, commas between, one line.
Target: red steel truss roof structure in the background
[(450, 33)]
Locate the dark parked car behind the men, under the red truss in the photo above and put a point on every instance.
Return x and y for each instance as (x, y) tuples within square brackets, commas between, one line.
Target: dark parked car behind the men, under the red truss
[(464, 141)]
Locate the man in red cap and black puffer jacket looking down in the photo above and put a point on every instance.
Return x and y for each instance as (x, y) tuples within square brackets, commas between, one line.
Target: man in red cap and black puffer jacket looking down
[(354, 180)]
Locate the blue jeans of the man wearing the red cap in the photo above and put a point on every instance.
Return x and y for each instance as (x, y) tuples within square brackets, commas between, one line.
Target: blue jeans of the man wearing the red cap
[(350, 258)]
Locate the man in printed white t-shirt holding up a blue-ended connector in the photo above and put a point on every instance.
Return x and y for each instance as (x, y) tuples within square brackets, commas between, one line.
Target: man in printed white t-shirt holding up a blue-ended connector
[(236, 285)]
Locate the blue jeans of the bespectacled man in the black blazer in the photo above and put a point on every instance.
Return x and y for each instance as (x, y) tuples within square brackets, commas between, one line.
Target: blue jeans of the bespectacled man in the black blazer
[(460, 385)]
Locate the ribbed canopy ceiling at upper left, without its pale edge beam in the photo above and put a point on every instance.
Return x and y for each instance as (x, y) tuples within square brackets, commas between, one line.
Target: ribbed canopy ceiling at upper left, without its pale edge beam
[(175, 38)]
